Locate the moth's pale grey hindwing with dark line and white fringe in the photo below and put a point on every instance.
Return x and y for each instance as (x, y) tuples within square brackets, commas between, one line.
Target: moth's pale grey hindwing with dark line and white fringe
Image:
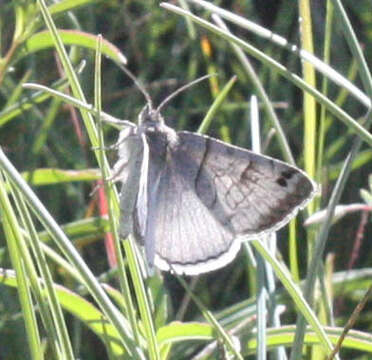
[(184, 232)]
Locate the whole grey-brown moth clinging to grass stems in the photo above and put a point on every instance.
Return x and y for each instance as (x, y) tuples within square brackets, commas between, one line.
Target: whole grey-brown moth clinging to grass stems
[(190, 199)]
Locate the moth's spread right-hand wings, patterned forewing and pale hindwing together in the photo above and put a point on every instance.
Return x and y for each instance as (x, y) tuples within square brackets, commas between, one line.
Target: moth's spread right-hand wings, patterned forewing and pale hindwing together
[(209, 193)]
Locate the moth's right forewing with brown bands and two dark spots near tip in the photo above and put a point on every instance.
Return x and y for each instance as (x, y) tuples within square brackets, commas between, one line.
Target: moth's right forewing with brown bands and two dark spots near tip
[(255, 194)]
